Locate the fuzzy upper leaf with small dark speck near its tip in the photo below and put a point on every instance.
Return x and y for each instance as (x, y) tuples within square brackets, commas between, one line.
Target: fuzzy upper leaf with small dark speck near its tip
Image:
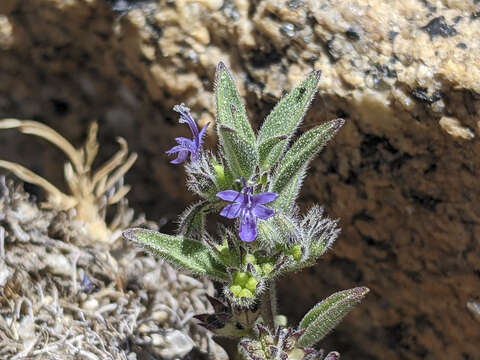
[(285, 118)]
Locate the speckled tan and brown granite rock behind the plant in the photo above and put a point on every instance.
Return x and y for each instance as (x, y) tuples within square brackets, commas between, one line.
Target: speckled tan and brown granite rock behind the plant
[(402, 174)]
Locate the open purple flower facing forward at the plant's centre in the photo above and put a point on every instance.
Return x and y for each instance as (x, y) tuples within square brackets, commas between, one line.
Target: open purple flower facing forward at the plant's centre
[(249, 207)]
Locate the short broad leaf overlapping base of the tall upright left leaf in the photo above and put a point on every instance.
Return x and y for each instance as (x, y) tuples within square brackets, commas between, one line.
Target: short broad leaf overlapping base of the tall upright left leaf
[(241, 156)]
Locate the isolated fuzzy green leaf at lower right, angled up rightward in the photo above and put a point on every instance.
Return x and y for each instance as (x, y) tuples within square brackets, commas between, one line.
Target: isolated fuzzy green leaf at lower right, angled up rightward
[(320, 320)]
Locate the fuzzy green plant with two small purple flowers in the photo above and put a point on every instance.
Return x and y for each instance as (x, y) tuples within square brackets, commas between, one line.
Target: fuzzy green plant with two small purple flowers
[(255, 179)]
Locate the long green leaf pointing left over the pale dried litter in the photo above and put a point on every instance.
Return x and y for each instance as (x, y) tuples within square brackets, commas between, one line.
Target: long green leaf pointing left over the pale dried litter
[(180, 252)]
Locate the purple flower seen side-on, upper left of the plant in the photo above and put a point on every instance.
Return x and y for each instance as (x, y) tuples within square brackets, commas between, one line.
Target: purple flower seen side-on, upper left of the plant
[(185, 145)]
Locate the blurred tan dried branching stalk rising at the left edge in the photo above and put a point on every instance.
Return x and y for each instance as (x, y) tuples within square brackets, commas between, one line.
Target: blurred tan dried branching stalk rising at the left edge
[(91, 192)]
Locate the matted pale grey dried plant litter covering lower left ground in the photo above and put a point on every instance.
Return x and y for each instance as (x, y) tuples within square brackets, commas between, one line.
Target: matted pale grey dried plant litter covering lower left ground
[(127, 309)]
